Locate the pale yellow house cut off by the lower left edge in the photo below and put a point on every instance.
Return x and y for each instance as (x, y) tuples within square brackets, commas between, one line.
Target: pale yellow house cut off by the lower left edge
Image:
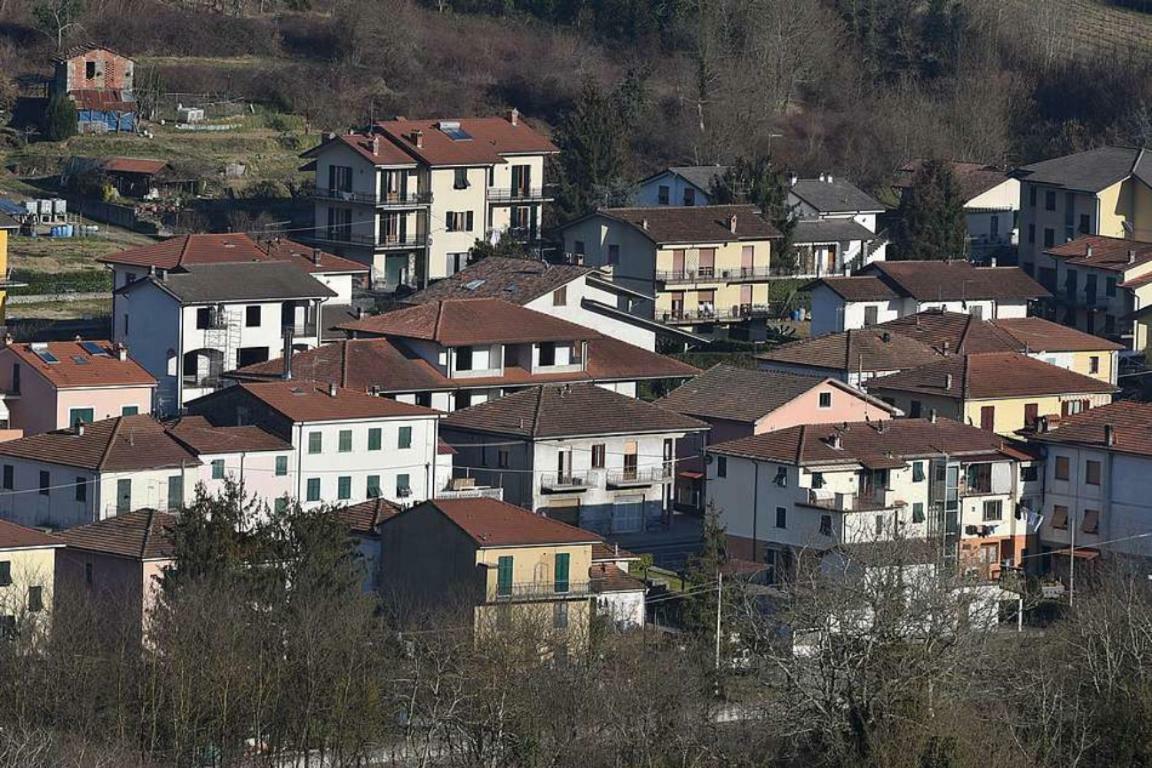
[(27, 577)]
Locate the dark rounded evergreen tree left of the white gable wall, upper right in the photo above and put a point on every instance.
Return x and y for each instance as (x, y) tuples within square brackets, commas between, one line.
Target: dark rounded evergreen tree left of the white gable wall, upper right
[(933, 223)]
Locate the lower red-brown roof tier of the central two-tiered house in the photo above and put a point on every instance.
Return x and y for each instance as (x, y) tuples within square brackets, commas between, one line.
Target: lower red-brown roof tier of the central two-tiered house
[(389, 366)]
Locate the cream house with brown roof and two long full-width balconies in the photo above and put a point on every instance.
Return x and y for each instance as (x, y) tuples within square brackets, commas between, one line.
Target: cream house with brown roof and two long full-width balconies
[(706, 267)]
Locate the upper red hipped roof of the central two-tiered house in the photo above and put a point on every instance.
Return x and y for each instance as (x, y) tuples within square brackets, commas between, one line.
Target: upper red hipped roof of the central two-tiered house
[(464, 322)]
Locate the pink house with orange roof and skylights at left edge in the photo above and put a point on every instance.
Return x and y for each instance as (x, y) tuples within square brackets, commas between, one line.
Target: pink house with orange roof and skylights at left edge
[(55, 385)]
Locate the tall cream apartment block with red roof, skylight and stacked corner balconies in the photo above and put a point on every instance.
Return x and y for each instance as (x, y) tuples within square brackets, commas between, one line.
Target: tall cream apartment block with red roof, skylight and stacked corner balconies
[(411, 197)]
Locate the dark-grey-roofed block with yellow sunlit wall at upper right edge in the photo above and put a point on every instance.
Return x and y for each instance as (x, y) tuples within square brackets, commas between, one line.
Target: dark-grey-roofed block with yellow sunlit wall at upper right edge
[(1103, 192)]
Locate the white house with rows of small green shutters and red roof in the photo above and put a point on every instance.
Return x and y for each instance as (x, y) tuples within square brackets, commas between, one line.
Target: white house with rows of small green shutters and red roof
[(347, 446)]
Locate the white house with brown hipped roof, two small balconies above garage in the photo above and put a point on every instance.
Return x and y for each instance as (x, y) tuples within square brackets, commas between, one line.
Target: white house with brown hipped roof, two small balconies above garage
[(575, 453)]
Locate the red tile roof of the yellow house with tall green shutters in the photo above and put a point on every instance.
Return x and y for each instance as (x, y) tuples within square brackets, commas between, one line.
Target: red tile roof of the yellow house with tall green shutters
[(492, 523)]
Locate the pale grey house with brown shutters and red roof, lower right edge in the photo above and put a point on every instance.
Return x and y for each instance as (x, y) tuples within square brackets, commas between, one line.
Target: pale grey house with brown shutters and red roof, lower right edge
[(1097, 485)]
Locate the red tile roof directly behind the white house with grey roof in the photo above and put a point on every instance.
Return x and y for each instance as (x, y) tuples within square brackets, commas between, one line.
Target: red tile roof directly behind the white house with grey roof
[(185, 250)]
